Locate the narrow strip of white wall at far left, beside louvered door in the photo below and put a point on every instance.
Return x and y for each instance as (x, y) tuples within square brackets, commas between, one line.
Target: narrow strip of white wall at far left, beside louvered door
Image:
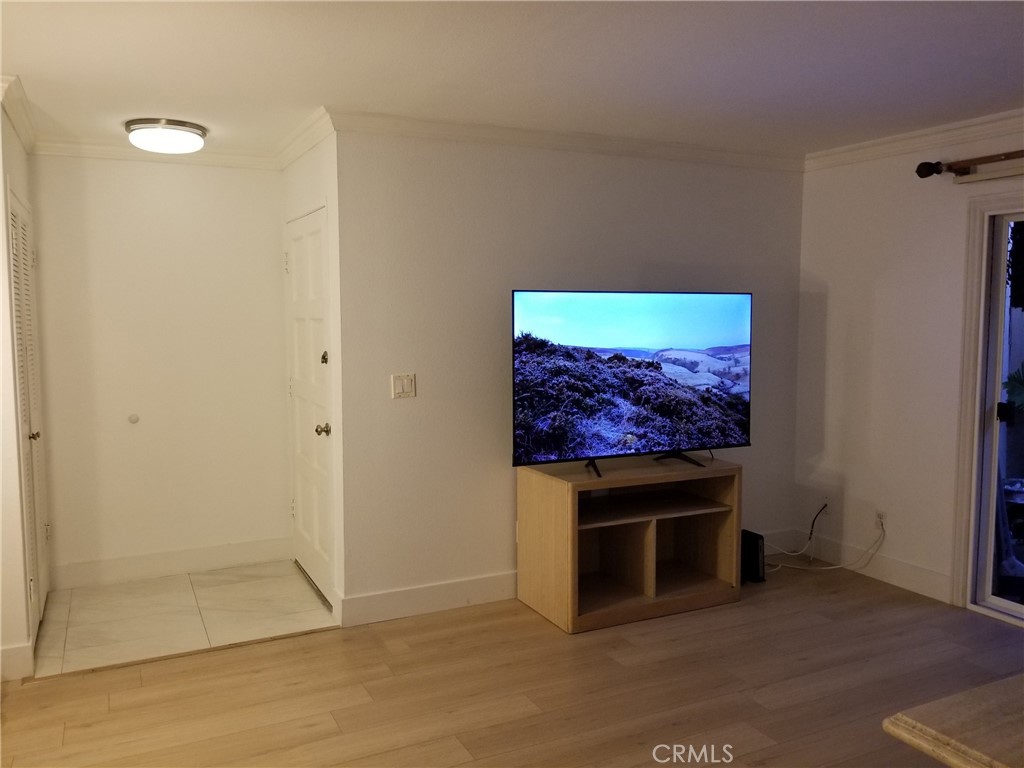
[(16, 633)]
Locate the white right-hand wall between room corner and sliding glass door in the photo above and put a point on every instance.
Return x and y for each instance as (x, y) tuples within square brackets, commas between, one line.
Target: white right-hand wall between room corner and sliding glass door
[(883, 268)]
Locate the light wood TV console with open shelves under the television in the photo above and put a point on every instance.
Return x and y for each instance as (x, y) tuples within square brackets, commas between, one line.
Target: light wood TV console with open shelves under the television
[(649, 539)]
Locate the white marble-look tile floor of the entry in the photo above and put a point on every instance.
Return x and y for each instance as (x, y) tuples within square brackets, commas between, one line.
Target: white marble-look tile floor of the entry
[(92, 627)]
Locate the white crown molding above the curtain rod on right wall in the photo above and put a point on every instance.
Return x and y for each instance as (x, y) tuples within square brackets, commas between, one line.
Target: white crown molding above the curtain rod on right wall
[(1002, 125)]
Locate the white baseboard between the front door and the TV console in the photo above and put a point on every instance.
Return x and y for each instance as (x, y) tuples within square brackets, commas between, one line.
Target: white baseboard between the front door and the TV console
[(380, 607)]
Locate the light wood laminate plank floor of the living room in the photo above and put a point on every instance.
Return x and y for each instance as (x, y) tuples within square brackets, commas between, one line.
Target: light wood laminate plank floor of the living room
[(800, 673)]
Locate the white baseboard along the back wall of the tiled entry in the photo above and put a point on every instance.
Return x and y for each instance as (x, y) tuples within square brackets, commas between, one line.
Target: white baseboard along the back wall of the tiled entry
[(100, 573)]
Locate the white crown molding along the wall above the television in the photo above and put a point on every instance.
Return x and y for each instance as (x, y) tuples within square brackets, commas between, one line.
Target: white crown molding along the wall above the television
[(583, 143)]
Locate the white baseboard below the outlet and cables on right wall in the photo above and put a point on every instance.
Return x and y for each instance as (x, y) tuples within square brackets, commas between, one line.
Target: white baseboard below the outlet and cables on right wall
[(883, 568)]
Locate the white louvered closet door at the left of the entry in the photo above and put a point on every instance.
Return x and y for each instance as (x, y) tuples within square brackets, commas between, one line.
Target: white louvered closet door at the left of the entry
[(23, 274)]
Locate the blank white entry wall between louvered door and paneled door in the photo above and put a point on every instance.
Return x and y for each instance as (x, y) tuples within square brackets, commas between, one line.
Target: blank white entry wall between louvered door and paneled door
[(161, 295)]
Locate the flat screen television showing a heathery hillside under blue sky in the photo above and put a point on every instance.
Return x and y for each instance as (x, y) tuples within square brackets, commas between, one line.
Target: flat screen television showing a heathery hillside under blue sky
[(599, 375)]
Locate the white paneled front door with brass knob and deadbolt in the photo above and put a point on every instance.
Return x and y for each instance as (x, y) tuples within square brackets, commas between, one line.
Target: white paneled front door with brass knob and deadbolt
[(311, 398)]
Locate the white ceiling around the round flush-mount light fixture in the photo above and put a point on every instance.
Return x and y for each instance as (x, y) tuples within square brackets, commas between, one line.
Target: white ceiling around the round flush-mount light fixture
[(769, 78)]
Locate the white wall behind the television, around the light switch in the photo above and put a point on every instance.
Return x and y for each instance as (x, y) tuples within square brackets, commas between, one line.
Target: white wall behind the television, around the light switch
[(435, 237)]
